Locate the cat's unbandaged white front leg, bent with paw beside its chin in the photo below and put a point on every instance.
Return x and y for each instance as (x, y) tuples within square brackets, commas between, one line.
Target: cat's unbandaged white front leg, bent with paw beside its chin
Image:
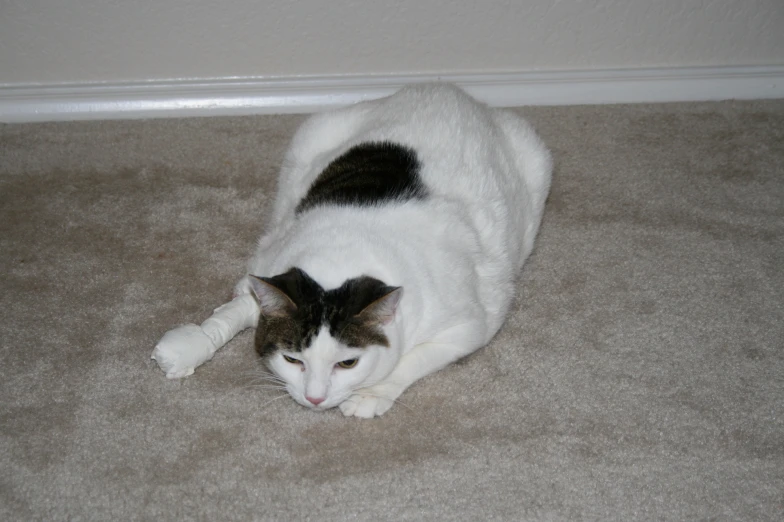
[(422, 360)]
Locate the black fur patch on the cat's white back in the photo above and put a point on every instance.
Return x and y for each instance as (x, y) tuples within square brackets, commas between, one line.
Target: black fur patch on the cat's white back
[(373, 173)]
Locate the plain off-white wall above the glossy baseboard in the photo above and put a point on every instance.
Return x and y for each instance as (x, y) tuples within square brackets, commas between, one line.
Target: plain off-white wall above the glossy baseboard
[(54, 41)]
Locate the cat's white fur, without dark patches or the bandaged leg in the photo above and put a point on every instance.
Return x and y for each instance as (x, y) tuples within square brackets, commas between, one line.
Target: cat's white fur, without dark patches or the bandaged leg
[(456, 254)]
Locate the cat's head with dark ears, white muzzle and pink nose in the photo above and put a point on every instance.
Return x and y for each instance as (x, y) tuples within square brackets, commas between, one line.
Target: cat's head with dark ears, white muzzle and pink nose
[(324, 344)]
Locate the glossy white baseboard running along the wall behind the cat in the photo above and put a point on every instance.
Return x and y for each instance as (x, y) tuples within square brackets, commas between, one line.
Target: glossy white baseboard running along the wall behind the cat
[(181, 98)]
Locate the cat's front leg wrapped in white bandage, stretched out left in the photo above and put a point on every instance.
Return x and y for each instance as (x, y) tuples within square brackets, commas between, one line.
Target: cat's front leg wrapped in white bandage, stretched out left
[(186, 347)]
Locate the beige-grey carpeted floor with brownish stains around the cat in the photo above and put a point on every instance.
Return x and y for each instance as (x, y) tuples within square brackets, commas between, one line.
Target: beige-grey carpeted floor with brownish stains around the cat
[(639, 376)]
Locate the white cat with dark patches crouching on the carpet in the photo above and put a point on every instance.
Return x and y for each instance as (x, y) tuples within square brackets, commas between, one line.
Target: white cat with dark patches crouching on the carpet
[(398, 230)]
